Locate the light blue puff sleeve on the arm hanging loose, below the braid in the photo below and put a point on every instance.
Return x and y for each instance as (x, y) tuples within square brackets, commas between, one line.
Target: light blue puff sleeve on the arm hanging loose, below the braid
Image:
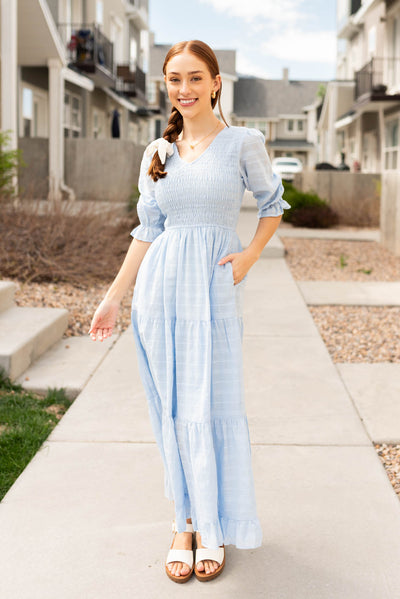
[(149, 213)]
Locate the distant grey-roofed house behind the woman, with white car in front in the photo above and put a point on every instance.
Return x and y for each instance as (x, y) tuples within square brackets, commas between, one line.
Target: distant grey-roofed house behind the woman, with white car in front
[(286, 111)]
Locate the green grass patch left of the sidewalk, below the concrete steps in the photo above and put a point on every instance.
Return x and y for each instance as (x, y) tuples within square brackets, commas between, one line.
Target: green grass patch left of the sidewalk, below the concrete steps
[(25, 423)]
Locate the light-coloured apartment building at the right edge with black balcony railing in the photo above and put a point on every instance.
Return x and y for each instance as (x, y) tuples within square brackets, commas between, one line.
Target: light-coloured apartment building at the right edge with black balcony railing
[(361, 112)]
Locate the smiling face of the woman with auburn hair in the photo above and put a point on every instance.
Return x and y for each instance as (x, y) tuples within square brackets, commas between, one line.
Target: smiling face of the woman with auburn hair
[(190, 85)]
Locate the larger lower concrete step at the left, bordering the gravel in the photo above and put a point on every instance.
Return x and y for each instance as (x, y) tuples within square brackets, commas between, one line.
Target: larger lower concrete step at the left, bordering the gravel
[(26, 333)]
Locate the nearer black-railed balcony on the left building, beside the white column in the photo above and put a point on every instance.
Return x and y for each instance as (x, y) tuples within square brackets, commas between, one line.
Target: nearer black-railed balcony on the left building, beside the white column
[(90, 51)]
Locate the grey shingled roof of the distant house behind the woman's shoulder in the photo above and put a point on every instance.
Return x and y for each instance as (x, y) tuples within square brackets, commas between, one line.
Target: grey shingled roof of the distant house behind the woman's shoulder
[(268, 98)]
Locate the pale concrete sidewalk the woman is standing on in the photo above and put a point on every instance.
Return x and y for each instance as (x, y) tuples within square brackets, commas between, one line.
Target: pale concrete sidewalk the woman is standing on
[(88, 519)]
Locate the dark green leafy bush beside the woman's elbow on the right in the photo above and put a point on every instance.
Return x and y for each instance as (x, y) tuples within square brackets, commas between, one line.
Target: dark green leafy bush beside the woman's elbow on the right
[(307, 209)]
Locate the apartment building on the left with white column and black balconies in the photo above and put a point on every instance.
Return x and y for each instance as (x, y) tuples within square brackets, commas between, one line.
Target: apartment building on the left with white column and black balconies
[(72, 68)]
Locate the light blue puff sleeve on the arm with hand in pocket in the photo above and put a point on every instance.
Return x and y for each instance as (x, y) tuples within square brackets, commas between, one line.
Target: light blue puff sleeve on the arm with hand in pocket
[(259, 177)]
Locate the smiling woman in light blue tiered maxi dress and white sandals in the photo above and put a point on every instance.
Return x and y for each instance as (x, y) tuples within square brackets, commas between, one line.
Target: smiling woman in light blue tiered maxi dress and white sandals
[(187, 309)]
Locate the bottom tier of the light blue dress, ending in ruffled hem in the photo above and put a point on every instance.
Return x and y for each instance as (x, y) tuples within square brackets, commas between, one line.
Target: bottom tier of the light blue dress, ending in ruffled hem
[(207, 470)]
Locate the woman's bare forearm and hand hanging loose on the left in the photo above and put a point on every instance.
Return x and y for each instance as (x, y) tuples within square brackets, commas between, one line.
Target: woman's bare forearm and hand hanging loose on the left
[(104, 318)]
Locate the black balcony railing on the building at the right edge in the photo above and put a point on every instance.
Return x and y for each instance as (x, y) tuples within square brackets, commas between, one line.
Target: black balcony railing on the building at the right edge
[(377, 76)]
